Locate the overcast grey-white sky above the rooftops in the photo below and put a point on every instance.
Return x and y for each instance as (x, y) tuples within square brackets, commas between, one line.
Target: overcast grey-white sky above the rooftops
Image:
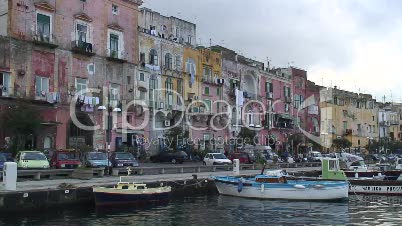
[(354, 44)]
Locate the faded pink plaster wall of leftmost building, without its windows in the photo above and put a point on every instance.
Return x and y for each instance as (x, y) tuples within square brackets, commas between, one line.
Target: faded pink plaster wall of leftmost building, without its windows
[(57, 61)]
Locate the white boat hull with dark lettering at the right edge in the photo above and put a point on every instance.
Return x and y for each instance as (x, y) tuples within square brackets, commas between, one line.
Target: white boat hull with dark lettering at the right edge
[(375, 187)]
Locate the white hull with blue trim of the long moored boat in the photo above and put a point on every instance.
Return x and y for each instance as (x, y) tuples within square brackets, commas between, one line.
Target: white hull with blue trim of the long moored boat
[(293, 191)]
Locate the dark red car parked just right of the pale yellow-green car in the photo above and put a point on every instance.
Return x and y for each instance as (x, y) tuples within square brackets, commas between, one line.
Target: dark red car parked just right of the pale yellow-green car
[(65, 159)]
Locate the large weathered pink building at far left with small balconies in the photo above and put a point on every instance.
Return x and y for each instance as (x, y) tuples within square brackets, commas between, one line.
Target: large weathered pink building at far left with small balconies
[(53, 51)]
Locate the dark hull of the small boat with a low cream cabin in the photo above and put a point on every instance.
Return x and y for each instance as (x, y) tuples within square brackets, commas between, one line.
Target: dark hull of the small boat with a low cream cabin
[(104, 197)]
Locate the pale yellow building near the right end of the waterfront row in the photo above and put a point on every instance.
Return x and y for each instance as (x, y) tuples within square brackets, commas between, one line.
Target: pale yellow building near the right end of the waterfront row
[(348, 115)]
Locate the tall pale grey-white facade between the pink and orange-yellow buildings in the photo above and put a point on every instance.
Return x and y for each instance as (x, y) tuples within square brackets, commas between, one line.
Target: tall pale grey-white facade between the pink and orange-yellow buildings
[(162, 68)]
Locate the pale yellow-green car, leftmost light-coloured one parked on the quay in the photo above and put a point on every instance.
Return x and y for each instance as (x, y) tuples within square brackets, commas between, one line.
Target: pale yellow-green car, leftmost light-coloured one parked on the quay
[(32, 160)]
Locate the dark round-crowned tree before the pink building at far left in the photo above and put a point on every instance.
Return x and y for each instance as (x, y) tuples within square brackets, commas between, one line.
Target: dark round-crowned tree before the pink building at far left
[(20, 121)]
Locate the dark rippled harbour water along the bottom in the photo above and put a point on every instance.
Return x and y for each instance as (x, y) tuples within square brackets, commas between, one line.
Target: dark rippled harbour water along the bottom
[(223, 210)]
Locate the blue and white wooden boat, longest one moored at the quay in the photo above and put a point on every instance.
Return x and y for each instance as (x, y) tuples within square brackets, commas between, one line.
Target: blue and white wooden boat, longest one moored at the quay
[(276, 186)]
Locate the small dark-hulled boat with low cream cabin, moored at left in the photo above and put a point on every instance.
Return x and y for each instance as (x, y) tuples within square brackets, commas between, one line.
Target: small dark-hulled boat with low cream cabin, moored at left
[(130, 193)]
